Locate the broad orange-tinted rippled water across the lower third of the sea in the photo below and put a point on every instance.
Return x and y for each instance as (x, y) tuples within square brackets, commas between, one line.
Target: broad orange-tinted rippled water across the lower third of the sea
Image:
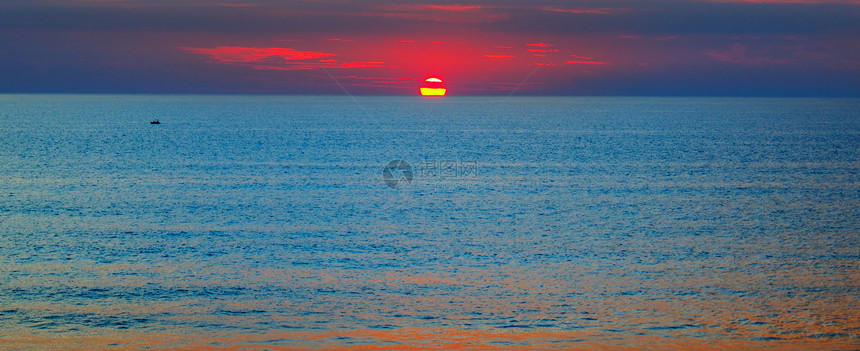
[(665, 305)]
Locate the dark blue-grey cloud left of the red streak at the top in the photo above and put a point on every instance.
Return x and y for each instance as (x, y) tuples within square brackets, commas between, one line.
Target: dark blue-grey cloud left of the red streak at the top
[(212, 19)]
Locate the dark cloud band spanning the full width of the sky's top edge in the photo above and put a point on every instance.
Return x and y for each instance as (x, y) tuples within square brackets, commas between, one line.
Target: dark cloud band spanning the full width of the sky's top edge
[(690, 17)]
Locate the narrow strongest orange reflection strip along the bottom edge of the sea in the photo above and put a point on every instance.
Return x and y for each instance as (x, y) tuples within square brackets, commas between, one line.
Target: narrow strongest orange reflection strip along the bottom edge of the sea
[(400, 339)]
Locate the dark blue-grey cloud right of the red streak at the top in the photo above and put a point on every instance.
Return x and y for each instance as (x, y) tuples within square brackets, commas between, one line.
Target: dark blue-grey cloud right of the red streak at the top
[(694, 18)]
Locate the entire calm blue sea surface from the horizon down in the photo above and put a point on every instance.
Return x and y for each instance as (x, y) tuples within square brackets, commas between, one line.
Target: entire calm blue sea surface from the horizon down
[(265, 222)]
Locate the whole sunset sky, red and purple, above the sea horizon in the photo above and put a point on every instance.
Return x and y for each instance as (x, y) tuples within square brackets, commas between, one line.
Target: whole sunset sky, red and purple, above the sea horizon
[(382, 47)]
